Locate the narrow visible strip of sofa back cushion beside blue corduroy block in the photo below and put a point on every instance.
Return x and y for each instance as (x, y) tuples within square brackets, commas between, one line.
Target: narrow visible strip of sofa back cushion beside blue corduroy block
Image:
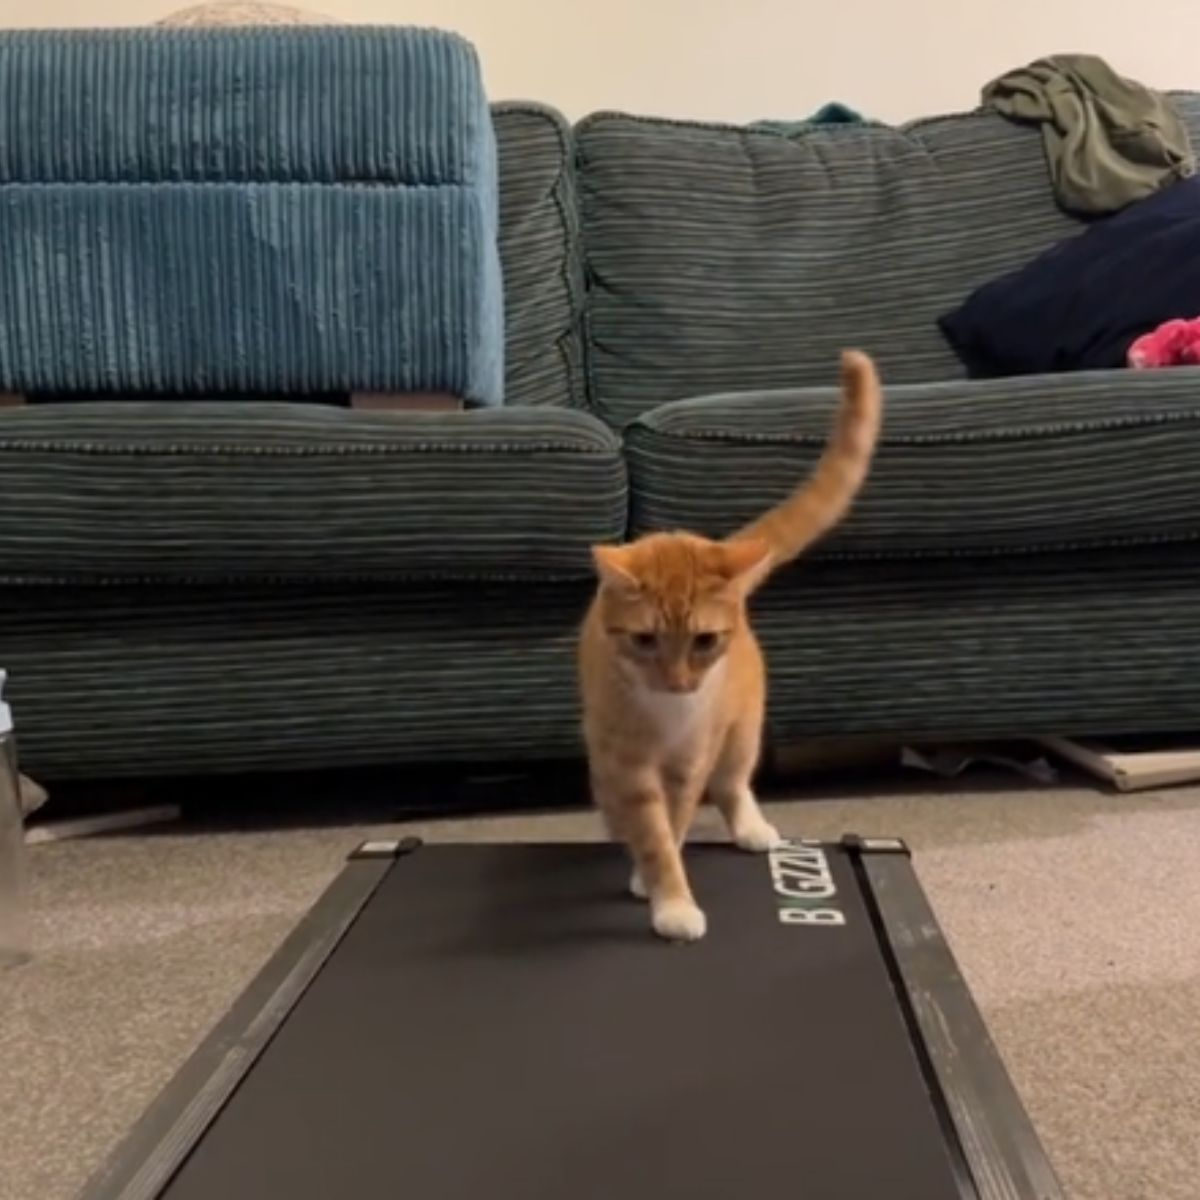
[(542, 257)]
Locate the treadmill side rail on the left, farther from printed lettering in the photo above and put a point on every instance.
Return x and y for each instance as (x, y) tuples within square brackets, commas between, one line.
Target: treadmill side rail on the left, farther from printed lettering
[(145, 1163)]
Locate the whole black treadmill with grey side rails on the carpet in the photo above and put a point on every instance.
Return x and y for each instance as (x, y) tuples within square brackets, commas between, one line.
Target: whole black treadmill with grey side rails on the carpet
[(467, 1022)]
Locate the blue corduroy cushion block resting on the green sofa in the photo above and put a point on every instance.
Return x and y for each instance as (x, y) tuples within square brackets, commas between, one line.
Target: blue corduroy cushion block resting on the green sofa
[(249, 211)]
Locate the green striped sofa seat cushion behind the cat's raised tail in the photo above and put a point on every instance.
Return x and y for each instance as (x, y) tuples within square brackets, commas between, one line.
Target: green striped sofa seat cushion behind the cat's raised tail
[(989, 467)]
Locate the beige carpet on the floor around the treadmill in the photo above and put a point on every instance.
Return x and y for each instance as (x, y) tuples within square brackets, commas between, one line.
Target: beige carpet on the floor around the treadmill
[(1075, 916)]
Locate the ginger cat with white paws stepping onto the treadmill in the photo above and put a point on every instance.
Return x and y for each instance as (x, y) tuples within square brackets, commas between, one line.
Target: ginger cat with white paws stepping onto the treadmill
[(673, 679)]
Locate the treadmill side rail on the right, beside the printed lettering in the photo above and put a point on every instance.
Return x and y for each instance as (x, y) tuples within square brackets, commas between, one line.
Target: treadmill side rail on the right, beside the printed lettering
[(998, 1138)]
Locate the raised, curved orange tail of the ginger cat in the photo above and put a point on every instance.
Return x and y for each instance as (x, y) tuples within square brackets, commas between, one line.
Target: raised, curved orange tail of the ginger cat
[(827, 495)]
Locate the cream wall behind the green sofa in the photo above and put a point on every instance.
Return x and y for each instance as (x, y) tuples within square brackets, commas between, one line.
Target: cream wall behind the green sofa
[(748, 59)]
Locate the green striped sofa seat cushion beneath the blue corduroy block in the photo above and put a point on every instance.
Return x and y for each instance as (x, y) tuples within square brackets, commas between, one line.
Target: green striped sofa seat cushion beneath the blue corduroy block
[(215, 491)]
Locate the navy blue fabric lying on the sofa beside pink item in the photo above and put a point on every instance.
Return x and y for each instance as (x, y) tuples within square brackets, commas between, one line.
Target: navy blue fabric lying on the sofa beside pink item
[(1079, 305)]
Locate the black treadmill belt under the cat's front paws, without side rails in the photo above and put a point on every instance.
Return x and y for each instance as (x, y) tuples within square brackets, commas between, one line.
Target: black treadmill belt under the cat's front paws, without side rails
[(499, 1022)]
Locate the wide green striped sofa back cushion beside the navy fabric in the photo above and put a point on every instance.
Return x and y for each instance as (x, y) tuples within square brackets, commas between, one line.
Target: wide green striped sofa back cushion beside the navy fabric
[(729, 259)]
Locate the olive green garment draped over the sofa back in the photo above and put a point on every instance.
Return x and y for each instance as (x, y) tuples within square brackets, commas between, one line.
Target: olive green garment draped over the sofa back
[(1109, 141)]
